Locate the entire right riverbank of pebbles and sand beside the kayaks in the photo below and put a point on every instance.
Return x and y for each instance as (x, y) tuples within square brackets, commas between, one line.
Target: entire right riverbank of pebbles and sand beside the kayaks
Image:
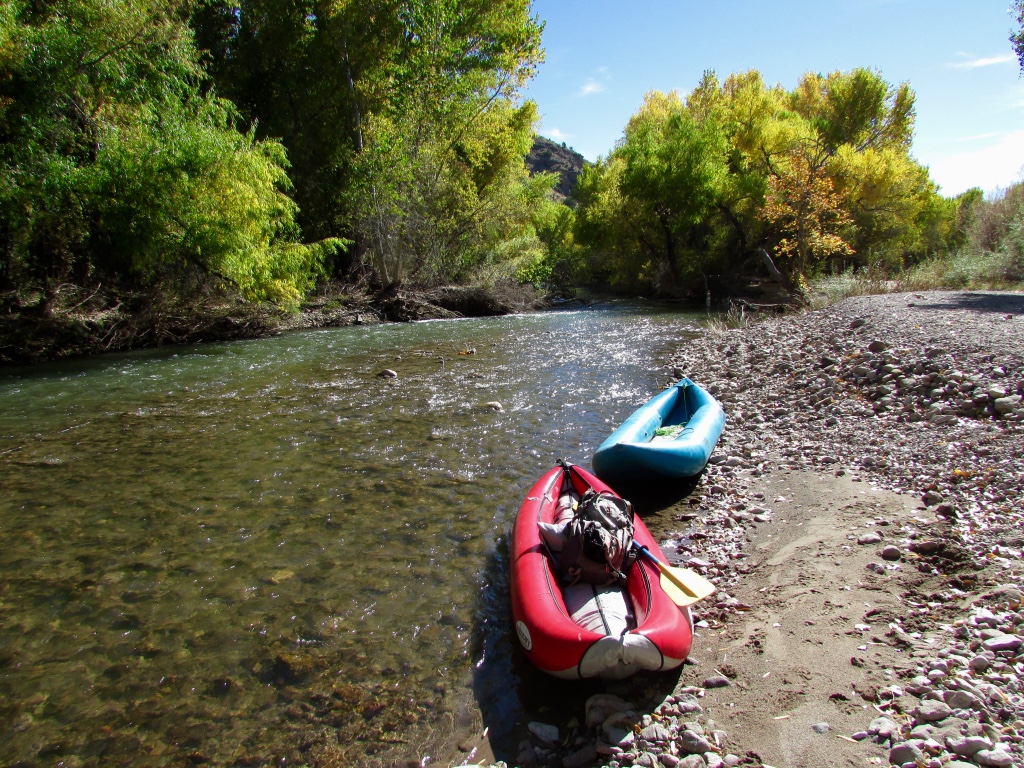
[(863, 520)]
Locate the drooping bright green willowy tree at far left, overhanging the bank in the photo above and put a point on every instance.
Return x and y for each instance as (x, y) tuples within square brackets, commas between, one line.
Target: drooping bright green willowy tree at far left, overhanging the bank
[(115, 166)]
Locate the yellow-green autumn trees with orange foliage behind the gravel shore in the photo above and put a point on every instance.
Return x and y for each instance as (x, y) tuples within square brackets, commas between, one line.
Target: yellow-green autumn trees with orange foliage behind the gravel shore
[(815, 186)]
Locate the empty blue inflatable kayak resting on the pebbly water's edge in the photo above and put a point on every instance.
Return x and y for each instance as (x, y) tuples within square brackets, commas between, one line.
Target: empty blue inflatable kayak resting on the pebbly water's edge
[(671, 437)]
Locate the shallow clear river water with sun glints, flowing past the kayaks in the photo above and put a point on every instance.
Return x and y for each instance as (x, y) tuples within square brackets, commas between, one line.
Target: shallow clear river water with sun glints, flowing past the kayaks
[(264, 553)]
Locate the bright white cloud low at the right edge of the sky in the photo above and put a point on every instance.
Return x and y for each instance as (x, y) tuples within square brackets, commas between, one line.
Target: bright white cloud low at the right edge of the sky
[(996, 166)]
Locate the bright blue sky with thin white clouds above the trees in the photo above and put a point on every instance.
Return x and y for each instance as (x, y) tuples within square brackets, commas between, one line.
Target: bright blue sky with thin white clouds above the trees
[(604, 56)]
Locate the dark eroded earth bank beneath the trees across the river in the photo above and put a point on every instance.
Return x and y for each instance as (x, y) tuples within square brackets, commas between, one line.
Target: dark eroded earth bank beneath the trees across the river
[(104, 322)]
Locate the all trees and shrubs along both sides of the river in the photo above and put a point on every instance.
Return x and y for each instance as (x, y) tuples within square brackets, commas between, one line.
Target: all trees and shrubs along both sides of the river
[(176, 170)]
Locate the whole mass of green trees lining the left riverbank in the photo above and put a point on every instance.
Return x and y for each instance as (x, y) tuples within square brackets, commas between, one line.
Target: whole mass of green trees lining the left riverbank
[(204, 155)]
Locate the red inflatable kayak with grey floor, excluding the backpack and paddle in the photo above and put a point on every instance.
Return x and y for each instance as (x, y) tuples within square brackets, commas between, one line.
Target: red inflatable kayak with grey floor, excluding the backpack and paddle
[(585, 631)]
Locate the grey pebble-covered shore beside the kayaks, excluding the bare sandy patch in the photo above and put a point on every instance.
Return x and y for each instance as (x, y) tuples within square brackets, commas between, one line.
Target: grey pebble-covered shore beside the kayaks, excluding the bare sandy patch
[(916, 395)]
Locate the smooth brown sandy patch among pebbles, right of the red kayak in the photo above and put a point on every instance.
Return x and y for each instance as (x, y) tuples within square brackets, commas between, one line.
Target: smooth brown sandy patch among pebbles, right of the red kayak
[(815, 643)]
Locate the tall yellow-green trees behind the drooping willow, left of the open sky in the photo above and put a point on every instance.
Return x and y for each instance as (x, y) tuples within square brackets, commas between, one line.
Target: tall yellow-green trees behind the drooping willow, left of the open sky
[(402, 118)]
